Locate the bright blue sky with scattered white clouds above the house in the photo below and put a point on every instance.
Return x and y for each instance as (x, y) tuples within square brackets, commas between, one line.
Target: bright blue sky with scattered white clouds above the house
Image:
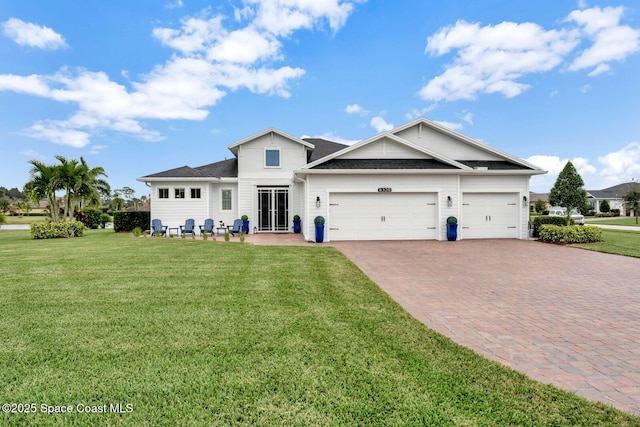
[(142, 87)]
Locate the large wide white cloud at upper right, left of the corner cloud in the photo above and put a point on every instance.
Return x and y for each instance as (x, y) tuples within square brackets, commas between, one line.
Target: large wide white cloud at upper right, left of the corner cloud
[(490, 59)]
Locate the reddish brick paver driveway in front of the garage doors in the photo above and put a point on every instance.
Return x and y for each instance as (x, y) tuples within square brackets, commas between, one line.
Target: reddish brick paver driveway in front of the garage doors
[(564, 316)]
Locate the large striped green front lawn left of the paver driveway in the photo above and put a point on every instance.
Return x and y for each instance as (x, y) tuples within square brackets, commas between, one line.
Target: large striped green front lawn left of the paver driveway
[(192, 332)]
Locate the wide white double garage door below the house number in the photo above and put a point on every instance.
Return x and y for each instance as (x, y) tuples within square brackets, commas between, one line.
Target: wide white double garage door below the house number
[(382, 216)]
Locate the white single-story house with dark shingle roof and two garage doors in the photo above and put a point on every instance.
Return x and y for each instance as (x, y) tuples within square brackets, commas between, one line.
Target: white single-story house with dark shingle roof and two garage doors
[(401, 184)]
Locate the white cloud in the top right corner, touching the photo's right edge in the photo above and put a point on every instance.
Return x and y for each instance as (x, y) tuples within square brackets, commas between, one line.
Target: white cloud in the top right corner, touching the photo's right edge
[(611, 41)]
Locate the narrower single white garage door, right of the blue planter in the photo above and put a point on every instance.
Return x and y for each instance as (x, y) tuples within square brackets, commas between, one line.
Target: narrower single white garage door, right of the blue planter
[(489, 215)]
